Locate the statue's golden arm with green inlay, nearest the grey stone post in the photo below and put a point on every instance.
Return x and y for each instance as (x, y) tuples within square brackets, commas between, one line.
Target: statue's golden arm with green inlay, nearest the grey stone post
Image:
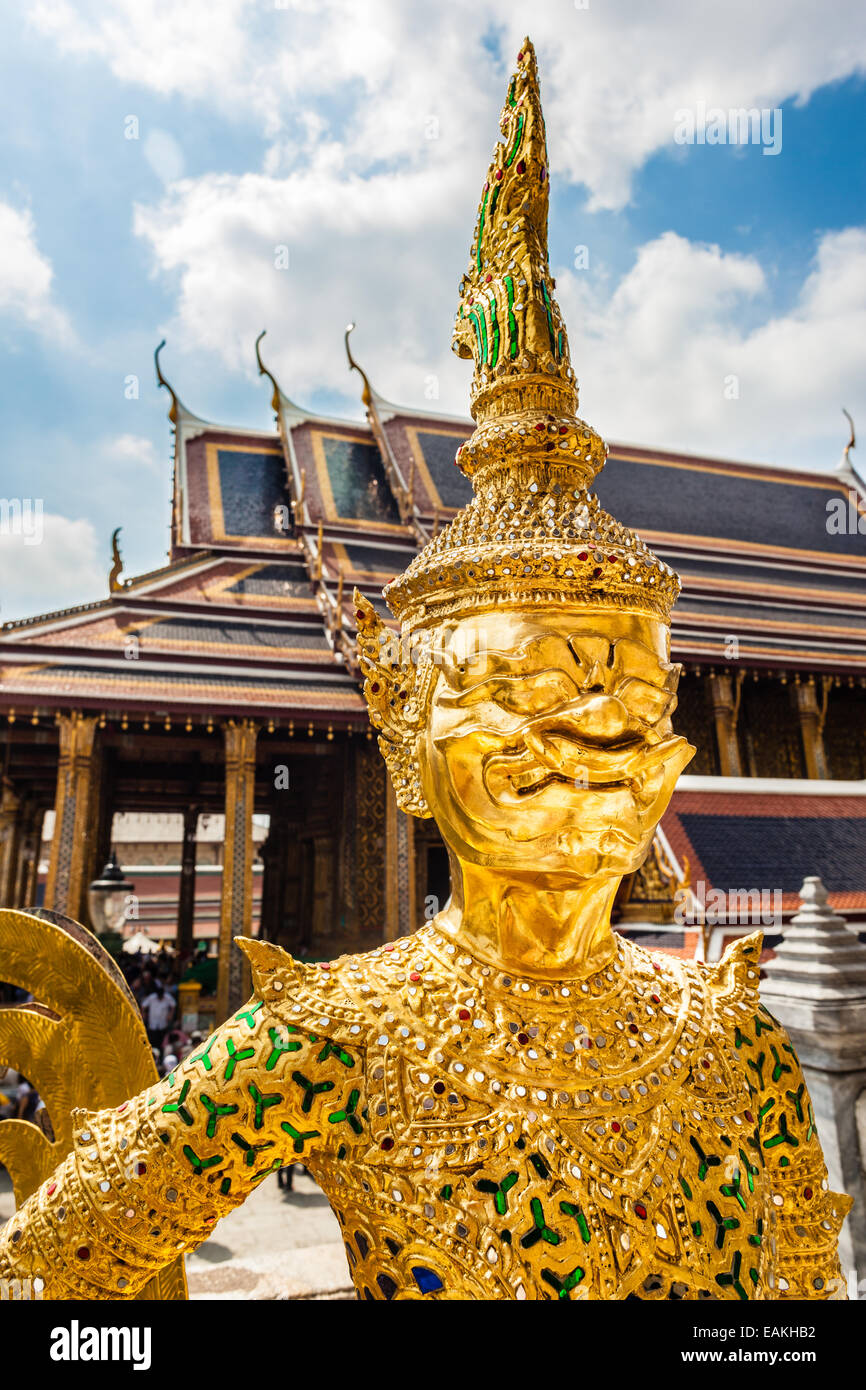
[(808, 1216)]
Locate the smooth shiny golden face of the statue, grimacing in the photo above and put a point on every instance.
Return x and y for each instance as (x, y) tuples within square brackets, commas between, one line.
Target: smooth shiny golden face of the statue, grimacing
[(550, 744)]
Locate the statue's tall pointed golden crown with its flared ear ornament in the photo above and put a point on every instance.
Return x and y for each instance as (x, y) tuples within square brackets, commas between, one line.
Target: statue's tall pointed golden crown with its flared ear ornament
[(533, 532)]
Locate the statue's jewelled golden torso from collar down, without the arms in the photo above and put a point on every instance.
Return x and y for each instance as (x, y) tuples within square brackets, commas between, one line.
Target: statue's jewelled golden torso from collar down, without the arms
[(565, 1140)]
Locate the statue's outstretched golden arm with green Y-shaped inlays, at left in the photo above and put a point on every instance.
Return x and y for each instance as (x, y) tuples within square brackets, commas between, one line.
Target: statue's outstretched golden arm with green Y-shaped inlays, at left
[(148, 1181)]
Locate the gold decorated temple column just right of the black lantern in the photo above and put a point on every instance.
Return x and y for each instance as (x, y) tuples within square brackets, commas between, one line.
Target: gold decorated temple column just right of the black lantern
[(237, 910)]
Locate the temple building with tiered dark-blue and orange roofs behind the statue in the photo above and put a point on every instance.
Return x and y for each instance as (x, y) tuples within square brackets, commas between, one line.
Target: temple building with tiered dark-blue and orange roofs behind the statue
[(227, 685)]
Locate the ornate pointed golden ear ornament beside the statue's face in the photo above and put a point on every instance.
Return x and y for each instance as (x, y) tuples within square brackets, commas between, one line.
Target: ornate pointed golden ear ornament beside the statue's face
[(391, 694)]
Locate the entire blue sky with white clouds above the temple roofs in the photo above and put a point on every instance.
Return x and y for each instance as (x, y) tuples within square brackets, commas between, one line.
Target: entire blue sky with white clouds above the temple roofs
[(305, 124)]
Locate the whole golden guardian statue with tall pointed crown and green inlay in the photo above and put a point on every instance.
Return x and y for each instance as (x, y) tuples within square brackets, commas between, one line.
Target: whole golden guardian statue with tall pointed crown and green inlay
[(512, 1103)]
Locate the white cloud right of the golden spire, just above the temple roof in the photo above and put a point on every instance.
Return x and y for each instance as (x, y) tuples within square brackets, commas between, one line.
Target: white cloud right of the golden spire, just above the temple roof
[(667, 361)]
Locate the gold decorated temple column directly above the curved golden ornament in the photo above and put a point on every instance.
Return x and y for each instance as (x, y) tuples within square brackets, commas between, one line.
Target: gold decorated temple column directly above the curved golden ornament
[(74, 817)]
